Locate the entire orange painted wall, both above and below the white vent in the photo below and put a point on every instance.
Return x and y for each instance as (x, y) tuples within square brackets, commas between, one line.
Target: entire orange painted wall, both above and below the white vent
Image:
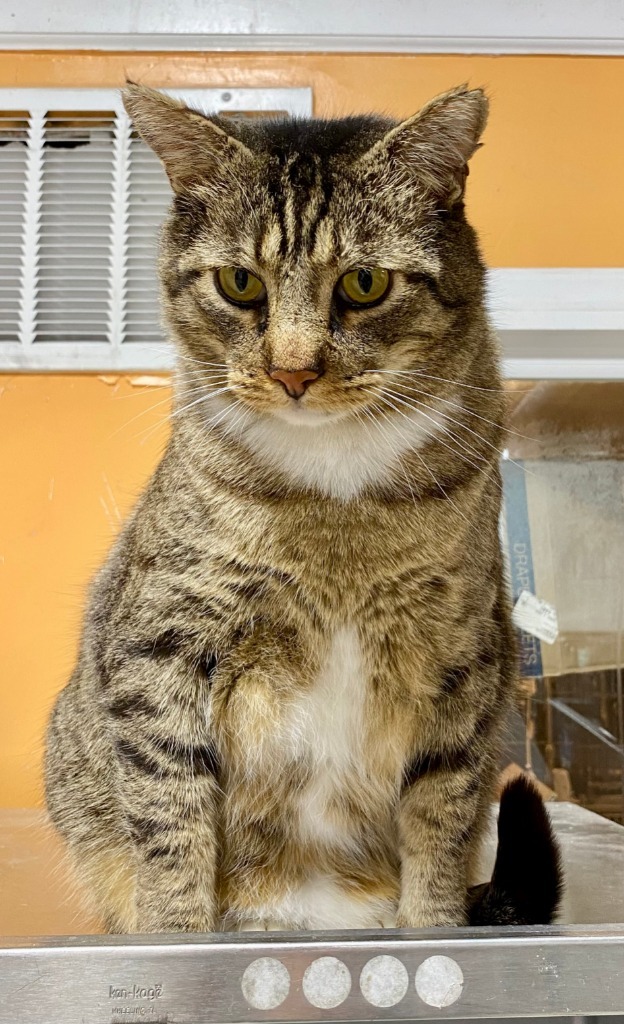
[(76, 450)]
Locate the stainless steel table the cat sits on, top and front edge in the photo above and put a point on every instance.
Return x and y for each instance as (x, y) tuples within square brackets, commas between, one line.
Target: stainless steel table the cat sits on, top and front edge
[(68, 976)]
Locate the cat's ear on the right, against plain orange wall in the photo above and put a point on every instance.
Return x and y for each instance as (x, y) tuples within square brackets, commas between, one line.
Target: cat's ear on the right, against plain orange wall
[(434, 147)]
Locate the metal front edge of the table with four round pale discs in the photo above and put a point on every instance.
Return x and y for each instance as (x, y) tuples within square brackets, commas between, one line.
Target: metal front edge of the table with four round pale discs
[(477, 973)]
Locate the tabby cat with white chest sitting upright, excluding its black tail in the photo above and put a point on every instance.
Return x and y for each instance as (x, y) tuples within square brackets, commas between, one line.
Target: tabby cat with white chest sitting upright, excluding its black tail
[(297, 660)]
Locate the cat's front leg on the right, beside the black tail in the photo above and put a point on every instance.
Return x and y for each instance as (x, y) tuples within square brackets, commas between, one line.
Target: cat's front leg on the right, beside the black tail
[(439, 825)]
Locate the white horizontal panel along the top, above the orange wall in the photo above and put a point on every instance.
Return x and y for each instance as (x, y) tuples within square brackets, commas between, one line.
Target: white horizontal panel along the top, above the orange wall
[(426, 26)]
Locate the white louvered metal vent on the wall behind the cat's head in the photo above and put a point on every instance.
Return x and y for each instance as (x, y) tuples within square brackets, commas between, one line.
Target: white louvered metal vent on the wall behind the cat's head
[(81, 204)]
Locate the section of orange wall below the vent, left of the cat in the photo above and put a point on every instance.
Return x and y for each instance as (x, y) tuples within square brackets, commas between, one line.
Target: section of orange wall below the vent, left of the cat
[(74, 453)]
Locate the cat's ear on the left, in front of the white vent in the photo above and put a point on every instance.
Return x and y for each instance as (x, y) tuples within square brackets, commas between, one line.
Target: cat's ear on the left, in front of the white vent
[(192, 148)]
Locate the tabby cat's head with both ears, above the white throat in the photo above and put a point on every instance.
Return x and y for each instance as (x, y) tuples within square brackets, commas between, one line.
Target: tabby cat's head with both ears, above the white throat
[(304, 261)]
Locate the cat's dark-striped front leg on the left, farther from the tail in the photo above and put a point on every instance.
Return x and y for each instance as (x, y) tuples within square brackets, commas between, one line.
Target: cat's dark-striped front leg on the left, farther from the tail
[(170, 798)]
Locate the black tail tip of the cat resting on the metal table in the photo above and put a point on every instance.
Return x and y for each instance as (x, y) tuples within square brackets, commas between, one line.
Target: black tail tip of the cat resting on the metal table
[(527, 884)]
